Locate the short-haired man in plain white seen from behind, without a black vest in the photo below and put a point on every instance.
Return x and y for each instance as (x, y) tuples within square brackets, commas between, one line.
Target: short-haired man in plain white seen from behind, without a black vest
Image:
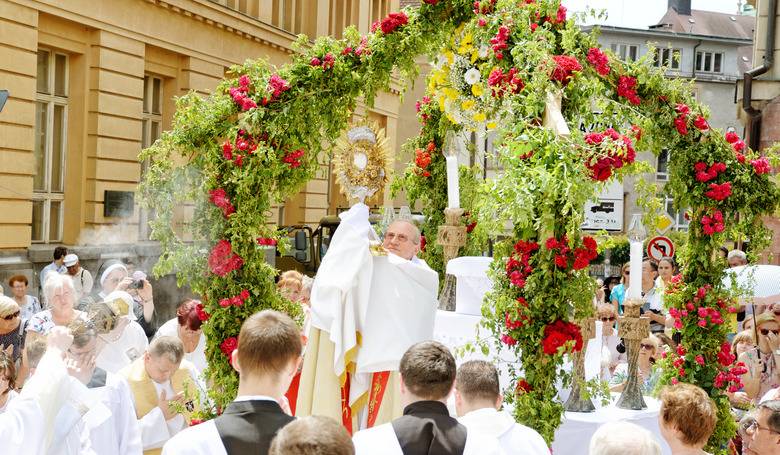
[(478, 400)]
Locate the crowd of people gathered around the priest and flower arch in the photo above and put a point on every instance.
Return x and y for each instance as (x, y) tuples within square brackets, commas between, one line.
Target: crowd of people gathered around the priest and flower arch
[(84, 371)]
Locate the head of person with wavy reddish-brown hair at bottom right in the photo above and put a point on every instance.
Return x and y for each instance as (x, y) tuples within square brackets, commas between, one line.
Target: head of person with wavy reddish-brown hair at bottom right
[(687, 418)]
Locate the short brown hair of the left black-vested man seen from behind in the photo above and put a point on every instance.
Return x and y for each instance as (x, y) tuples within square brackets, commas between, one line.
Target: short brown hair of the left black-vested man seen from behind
[(268, 342)]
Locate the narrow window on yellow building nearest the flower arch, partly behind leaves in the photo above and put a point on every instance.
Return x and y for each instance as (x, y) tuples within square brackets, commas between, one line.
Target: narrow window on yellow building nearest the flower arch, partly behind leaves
[(151, 127)]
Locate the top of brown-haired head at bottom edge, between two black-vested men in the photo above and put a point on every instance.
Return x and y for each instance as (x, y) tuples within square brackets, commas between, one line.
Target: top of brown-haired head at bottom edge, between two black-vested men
[(312, 435)]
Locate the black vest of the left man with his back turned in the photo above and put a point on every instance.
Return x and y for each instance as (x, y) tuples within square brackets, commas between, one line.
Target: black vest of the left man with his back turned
[(247, 427)]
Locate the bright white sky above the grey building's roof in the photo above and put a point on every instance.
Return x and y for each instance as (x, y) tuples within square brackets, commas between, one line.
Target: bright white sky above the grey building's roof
[(642, 13)]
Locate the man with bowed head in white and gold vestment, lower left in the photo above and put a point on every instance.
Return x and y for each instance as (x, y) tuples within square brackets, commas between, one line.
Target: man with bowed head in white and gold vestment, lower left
[(160, 381)]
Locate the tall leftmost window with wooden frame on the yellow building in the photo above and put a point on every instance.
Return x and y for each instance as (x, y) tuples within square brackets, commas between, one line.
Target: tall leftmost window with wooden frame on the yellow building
[(51, 126)]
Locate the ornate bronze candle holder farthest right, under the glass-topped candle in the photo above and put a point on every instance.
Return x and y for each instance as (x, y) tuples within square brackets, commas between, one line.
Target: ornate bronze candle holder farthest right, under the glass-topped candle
[(633, 329)]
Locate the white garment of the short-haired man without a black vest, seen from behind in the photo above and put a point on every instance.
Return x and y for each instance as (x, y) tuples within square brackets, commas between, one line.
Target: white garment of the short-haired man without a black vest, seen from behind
[(514, 438)]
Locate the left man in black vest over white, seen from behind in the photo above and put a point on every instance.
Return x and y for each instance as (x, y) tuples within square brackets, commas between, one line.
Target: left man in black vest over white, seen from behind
[(267, 359)]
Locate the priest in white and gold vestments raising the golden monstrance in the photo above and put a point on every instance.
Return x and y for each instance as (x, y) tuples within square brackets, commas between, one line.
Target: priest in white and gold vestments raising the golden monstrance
[(368, 305)]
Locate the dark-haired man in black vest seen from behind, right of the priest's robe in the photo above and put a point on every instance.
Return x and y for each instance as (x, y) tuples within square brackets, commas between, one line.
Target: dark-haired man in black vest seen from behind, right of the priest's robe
[(427, 375)]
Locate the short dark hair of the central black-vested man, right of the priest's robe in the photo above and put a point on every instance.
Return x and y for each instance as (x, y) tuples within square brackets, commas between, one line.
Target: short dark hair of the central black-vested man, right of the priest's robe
[(428, 370)]
